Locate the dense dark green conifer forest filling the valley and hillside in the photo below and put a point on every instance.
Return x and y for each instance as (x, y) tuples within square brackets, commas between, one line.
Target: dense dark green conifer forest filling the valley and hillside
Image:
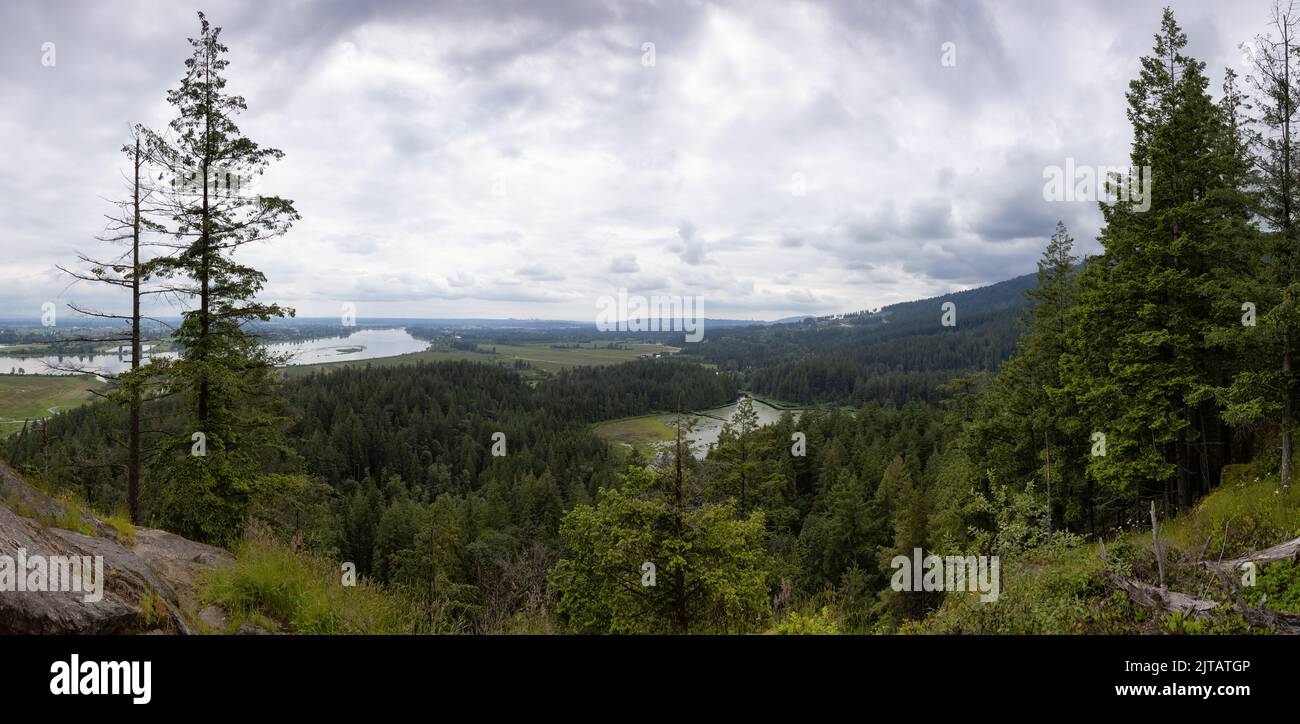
[(1056, 411)]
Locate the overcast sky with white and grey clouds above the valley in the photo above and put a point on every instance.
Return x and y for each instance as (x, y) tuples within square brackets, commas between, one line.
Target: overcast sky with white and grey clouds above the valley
[(525, 159)]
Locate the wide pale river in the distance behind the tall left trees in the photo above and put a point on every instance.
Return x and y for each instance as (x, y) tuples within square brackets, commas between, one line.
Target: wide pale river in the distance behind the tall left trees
[(362, 345)]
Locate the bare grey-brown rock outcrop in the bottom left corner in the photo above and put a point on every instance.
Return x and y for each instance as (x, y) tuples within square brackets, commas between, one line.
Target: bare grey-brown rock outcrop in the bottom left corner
[(146, 586)]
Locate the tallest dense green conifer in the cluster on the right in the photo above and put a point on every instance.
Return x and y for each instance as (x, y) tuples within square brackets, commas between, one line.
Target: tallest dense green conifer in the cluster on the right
[(1154, 294)]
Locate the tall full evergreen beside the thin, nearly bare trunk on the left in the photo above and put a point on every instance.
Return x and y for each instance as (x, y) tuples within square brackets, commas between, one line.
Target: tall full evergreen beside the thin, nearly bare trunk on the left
[(223, 368)]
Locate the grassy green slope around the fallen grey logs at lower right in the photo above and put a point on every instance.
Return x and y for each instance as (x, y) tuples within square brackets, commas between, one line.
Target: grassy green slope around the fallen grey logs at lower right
[(1061, 586)]
